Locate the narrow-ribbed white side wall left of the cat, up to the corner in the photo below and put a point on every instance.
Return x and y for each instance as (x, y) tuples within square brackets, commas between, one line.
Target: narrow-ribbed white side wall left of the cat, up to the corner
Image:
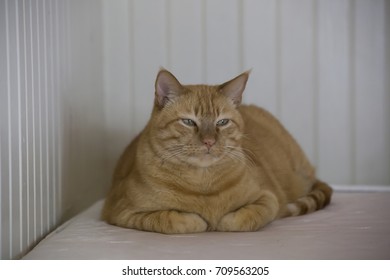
[(52, 142)]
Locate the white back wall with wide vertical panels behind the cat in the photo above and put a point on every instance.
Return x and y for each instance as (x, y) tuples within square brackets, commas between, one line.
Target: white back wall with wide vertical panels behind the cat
[(321, 66)]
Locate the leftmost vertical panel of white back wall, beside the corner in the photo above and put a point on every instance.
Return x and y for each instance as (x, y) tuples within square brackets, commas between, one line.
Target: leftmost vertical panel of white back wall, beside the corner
[(119, 101)]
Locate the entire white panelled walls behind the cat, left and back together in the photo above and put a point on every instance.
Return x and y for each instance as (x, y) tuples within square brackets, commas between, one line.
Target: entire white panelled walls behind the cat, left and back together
[(77, 76)]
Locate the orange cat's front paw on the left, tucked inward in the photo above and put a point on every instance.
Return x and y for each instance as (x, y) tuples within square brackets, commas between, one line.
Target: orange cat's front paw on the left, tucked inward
[(185, 223)]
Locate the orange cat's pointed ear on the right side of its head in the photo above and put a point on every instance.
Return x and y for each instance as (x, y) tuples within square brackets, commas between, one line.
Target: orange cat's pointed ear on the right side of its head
[(234, 88)]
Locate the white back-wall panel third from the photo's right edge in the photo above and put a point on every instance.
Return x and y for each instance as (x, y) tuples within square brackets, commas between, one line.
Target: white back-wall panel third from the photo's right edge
[(298, 73)]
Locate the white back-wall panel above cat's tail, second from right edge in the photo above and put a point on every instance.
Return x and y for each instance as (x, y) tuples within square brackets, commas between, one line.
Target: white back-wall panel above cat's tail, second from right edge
[(334, 115)]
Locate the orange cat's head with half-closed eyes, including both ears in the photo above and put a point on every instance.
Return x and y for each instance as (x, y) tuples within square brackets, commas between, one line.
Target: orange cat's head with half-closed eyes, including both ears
[(198, 125)]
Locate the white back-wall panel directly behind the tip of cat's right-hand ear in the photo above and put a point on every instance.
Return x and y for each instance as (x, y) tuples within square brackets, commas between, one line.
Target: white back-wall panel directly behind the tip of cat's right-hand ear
[(260, 52)]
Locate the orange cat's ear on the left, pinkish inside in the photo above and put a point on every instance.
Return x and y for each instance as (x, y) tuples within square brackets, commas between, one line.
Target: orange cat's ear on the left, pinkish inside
[(167, 88)]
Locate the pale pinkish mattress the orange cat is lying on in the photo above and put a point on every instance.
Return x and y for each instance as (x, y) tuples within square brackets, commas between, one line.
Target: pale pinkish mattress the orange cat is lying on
[(356, 225)]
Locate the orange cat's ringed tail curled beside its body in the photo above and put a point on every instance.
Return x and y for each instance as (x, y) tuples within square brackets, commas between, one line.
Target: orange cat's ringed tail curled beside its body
[(316, 199)]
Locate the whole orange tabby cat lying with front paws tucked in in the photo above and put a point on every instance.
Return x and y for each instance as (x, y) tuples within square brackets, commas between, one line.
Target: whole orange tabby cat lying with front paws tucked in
[(204, 162)]
